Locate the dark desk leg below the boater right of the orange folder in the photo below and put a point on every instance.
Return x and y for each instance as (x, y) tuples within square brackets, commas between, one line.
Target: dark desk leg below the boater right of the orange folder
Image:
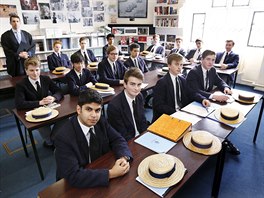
[(219, 170)]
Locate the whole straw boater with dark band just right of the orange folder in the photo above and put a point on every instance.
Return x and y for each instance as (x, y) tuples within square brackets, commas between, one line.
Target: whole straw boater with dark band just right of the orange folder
[(202, 142)]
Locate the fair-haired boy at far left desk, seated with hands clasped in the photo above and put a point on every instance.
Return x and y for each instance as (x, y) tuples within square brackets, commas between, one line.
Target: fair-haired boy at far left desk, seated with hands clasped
[(36, 90)]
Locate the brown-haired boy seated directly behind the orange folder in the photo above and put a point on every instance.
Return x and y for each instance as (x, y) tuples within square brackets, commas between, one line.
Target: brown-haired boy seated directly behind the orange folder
[(126, 110)]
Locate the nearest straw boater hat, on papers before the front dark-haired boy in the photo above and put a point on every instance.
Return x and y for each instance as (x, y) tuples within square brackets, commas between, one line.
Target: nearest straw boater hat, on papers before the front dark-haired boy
[(161, 170)]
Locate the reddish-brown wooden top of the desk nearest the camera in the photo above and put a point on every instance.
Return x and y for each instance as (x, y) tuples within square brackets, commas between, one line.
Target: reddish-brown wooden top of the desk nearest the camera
[(127, 186)]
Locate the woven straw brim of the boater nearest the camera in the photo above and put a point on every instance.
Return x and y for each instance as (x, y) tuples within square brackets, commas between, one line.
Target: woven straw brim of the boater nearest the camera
[(143, 173)]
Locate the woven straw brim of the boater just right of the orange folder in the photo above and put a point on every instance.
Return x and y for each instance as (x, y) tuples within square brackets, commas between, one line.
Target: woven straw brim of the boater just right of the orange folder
[(214, 149)]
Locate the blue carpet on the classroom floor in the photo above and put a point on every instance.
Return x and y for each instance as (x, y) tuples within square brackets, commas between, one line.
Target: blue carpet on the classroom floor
[(243, 175)]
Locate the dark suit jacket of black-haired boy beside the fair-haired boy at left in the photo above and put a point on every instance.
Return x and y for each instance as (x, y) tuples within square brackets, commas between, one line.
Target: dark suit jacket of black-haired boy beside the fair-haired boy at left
[(75, 84)]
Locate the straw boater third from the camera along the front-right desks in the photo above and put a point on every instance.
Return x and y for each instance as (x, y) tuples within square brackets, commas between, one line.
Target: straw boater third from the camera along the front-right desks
[(229, 115)]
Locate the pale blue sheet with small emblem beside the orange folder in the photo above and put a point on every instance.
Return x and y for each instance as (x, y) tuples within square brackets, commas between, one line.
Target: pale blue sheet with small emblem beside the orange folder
[(155, 143)]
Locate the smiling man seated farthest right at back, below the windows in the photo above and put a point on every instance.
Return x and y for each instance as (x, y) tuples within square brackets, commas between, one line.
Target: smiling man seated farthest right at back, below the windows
[(228, 60)]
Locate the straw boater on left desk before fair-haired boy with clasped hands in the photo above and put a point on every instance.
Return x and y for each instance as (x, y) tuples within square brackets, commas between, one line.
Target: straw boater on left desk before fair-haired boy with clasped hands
[(41, 114)]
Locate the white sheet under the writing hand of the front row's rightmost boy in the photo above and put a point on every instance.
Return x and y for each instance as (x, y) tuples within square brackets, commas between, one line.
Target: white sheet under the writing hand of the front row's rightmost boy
[(198, 109)]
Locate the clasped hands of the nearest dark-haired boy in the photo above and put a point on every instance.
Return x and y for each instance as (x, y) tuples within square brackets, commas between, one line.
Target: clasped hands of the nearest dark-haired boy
[(120, 168)]
